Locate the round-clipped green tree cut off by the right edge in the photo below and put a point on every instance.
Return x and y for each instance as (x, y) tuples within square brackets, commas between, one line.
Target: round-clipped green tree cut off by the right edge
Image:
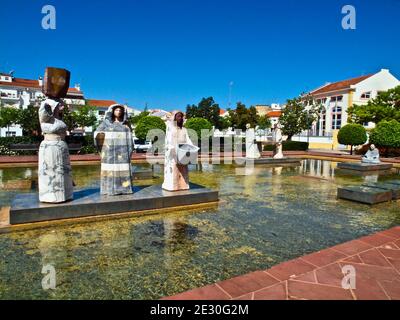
[(386, 134)]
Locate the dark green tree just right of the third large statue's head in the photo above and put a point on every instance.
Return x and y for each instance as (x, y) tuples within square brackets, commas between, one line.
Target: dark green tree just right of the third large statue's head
[(207, 109)]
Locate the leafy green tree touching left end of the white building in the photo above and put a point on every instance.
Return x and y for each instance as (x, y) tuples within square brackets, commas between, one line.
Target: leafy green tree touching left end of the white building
[(296, 117)]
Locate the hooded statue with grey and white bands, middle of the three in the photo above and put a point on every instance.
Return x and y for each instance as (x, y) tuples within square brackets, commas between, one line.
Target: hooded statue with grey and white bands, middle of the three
[(113, 139)]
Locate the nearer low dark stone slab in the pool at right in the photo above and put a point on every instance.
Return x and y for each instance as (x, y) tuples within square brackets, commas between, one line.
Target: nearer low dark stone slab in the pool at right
[(364, 194)]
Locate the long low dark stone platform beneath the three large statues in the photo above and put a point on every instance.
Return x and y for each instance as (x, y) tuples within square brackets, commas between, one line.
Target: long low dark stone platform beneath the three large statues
[(26, 208)]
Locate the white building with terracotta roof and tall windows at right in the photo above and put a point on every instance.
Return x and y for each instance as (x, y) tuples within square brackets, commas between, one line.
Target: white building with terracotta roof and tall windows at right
[(337, 97)]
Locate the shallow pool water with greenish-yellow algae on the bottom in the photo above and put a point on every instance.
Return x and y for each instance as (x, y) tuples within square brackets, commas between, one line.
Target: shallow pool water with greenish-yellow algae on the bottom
[(273, 215)]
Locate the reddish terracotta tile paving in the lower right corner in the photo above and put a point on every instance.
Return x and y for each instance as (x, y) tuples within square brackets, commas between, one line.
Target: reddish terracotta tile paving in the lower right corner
[(318, 276)]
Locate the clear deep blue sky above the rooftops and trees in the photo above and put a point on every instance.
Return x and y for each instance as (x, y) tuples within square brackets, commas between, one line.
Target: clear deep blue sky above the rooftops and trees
[(170, 53)]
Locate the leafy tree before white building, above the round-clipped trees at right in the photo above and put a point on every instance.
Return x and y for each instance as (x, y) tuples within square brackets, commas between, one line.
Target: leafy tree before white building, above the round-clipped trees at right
[(386, 106)]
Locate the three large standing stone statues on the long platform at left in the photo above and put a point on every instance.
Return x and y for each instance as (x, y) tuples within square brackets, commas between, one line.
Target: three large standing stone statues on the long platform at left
[(113, 138)]
